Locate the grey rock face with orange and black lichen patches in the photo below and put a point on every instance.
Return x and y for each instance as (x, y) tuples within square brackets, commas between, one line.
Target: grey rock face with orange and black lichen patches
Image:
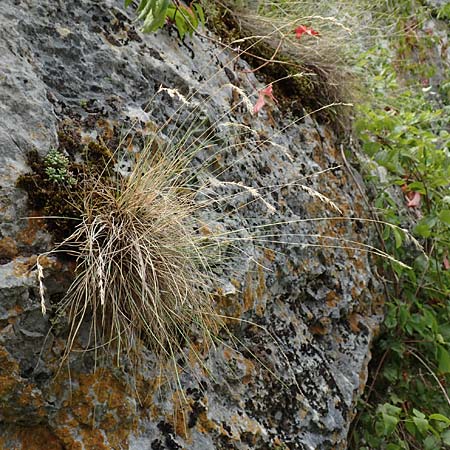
[(74, 71)]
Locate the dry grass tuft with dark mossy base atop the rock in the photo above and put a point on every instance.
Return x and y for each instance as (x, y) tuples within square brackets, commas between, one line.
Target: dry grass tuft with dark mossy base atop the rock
[(313, 71)]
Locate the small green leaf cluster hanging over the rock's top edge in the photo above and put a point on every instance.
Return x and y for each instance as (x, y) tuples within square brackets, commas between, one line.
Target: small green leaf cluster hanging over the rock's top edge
[(156, 13)]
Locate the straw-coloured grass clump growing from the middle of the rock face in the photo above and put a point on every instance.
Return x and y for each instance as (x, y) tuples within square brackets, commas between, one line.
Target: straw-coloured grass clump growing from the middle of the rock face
[(140, 274)]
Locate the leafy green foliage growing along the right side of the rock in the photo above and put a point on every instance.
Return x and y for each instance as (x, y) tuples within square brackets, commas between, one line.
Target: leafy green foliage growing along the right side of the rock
[(405, 131)]
